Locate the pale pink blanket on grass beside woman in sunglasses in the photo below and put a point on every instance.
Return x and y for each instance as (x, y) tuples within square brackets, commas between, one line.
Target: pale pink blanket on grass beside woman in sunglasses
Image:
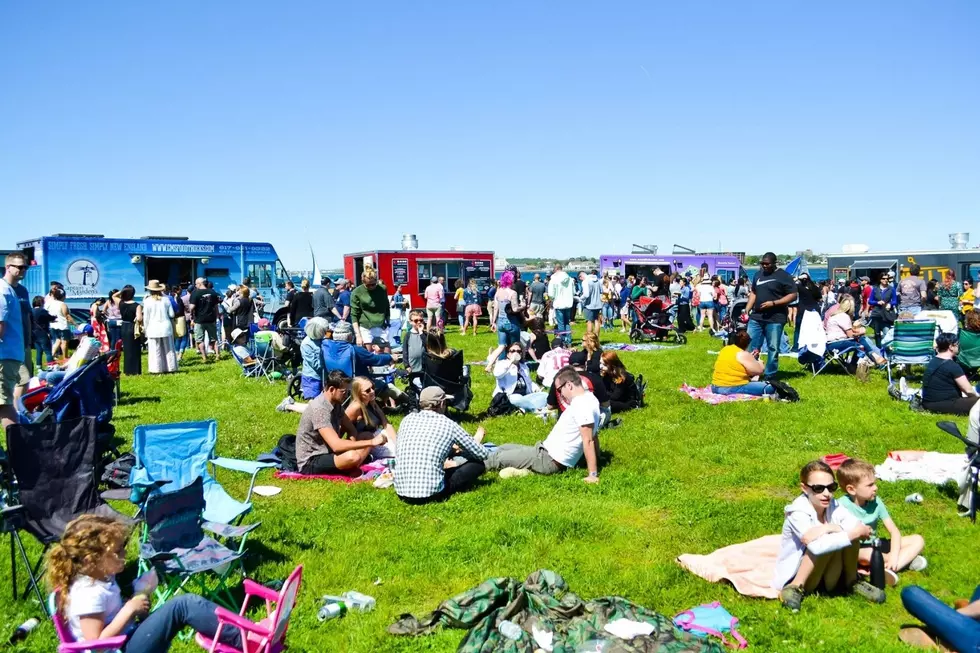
[(749, 566)]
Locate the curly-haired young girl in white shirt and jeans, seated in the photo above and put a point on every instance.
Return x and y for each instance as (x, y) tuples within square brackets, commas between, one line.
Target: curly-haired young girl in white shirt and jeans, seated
[(83, 567)]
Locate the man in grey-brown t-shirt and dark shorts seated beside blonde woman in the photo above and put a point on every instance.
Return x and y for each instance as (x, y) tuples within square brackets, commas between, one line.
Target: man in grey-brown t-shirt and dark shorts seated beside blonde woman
[(320, 445)]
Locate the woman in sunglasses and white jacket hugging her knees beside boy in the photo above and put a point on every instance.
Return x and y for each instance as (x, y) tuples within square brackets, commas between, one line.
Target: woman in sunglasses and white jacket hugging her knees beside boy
[(820, 544)]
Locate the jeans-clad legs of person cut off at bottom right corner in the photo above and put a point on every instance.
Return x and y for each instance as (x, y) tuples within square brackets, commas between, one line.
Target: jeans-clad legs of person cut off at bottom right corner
[(956, 628)]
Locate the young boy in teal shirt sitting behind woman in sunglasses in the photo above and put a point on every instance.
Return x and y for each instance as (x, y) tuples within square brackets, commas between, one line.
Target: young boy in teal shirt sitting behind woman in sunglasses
[(857, 478)]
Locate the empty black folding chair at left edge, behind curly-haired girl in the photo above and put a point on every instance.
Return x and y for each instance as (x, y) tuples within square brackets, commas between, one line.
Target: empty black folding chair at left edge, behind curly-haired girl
[(51, 479)]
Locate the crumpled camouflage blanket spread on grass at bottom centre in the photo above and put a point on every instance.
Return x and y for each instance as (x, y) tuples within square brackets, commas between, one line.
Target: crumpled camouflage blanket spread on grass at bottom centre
[(550, 617)]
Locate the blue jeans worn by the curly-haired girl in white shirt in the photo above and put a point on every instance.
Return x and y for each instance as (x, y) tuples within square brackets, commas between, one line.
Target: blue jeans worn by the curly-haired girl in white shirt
[(155, 633)]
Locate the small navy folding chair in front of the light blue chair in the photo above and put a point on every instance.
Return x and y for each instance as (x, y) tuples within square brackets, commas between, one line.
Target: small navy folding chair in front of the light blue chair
[(175, 545)]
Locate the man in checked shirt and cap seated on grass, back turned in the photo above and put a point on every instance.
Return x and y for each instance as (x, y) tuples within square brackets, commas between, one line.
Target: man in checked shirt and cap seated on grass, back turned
[(426, 440)]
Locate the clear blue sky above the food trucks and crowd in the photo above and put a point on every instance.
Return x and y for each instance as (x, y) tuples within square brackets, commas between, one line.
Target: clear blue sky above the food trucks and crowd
[(532, 128)]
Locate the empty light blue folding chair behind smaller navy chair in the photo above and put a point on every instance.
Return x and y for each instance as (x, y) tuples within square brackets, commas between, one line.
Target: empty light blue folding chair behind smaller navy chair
[(182, 452)]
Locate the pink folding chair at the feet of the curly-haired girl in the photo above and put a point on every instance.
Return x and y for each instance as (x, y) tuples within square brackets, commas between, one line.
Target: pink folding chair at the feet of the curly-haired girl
[(266, 636)]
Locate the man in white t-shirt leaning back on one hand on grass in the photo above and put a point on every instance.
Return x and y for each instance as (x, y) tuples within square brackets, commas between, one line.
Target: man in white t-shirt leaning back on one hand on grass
[(573, 436)]
